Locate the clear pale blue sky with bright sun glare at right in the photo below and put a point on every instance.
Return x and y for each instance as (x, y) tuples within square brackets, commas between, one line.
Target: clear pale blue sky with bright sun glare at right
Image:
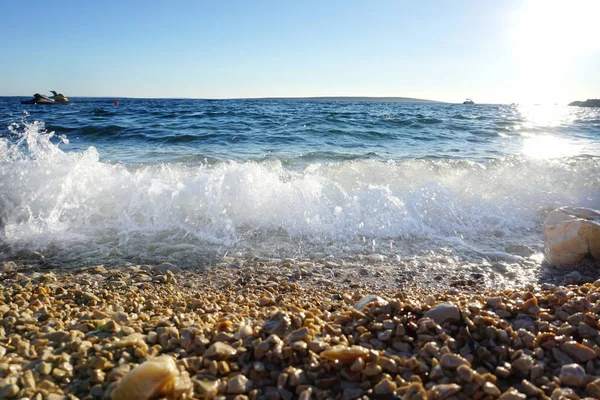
[(493, 51)]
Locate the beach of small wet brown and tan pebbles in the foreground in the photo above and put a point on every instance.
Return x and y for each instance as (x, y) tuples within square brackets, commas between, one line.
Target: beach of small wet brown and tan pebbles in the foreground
[(257, 330)]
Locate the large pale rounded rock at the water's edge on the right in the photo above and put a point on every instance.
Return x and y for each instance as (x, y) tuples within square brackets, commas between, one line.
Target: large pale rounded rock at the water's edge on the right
[(570, 234)]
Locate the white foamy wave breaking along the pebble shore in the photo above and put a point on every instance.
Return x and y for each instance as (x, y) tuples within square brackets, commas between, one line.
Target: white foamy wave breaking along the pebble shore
[(72, 206)]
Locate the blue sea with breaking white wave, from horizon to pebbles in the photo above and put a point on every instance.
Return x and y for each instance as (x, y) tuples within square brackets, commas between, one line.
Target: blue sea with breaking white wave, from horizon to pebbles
[(190, 181)]
